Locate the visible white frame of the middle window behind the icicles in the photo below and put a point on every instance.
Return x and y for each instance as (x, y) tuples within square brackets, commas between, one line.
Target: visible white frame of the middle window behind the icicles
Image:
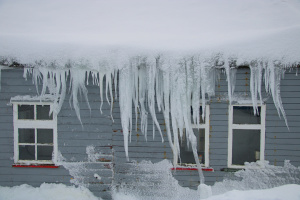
[(204, 126)]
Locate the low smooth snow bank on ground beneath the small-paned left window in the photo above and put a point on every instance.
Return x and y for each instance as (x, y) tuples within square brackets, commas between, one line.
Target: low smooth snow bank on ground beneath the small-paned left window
[(46, 192)]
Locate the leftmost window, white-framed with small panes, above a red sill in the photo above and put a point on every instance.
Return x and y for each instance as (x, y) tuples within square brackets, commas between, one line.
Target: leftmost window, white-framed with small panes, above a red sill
[(35, 133)]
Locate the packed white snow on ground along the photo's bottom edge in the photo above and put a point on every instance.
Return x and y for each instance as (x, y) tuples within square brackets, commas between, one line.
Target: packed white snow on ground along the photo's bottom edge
[(62, 192)]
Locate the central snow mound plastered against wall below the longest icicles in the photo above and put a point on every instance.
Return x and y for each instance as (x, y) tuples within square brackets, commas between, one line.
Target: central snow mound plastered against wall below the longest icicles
[(151, 181)]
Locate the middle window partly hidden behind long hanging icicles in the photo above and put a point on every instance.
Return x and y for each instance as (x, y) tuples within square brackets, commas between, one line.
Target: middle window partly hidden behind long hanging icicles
[(201, 131)]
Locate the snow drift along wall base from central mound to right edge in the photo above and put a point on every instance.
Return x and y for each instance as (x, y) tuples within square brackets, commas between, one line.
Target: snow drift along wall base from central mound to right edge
[(155, 181)]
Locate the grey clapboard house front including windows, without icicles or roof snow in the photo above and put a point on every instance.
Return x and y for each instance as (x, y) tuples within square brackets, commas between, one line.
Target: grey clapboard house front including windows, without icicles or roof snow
[(71, 151)]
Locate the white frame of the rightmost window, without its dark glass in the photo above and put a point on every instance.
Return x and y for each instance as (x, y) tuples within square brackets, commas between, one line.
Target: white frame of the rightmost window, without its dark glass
[(260, 127)]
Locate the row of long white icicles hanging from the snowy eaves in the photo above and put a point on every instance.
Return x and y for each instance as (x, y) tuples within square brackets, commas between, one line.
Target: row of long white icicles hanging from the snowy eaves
[(148, 86)]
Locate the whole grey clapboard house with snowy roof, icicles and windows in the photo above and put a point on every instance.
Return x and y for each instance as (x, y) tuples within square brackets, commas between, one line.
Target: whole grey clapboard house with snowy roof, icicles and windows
[(92, 115)]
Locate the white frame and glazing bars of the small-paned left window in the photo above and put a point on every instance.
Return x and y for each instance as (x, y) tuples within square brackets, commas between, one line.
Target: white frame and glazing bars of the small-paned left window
[(34, 124)]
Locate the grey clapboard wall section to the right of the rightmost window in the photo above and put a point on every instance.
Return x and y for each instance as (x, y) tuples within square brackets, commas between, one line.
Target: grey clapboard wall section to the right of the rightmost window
[(281, 143)]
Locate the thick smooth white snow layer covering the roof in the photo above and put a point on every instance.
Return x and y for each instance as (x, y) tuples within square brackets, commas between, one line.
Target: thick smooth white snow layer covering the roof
[(57, 30)]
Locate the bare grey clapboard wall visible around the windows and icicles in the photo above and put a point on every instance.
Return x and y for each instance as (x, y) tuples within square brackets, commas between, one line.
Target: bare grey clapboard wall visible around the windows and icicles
[(105, 136)]
